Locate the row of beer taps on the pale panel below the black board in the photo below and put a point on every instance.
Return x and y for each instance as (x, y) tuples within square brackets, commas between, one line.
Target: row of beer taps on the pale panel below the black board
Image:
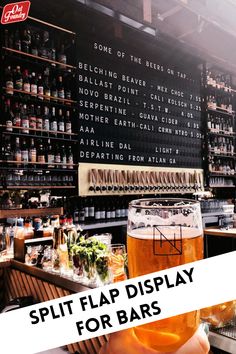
[(108, 180)]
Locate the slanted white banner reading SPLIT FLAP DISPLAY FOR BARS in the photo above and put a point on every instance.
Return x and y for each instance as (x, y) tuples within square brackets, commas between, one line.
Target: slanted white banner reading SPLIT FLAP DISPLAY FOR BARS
[(119, 306)]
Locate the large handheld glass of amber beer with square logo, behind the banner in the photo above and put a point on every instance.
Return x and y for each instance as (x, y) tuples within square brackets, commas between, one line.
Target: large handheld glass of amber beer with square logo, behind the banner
[(164, 233)]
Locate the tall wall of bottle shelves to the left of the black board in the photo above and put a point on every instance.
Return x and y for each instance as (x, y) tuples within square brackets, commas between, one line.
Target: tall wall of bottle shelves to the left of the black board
[(37, 128)]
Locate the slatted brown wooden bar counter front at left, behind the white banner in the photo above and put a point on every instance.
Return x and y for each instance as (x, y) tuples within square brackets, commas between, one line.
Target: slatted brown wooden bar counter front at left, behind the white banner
[(18, 279)]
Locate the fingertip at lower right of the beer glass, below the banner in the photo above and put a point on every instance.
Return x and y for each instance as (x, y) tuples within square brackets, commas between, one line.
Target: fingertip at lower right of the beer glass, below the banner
[(198, 344)]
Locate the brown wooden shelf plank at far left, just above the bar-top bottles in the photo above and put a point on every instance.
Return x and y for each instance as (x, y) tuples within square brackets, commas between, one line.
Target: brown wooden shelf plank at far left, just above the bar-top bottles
[(7, 213)]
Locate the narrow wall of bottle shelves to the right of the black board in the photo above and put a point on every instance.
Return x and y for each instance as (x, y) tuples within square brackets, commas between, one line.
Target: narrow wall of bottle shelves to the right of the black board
[(220, 129)]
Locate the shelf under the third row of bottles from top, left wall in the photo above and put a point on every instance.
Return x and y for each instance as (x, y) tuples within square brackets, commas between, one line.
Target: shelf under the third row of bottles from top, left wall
[(51, 136)]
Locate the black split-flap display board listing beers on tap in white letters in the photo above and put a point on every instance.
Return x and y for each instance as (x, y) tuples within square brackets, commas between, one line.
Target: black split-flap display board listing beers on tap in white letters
[(139, 101)]
